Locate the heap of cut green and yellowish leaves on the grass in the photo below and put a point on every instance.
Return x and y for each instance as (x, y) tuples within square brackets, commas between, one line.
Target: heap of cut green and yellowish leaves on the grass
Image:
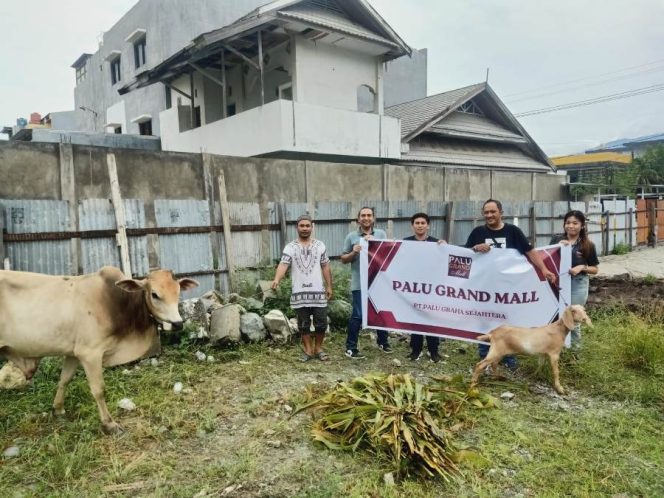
[(395, 415)]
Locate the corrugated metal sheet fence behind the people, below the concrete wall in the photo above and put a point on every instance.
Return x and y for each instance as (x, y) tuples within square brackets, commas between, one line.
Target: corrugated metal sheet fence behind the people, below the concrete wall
[(183, 238)]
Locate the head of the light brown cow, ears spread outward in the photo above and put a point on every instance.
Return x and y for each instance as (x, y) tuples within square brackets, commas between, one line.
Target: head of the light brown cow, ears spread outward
[(162, 294)]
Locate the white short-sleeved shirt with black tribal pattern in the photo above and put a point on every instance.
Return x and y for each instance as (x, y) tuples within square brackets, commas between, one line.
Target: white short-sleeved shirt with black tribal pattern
[(305, 262)]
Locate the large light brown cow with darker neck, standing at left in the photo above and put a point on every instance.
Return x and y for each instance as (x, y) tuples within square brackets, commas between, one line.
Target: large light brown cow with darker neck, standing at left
[(98, 320)]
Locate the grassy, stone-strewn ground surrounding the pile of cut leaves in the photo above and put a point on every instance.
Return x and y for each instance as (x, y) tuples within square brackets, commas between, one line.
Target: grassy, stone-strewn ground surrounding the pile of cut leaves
[(233, 431)]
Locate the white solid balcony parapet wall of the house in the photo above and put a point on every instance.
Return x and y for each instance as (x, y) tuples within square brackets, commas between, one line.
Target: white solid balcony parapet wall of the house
[(287, 126)]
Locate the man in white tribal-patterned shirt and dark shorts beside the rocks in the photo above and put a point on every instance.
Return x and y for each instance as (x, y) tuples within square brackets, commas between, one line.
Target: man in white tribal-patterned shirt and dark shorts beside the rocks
[(310, 266)]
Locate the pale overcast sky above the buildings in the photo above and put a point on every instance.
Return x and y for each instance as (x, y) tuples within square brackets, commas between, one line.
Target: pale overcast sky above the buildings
[(540, 54)]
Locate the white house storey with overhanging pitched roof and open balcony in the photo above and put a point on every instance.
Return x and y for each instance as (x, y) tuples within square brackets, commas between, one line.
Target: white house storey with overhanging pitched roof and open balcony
[(291, 78)]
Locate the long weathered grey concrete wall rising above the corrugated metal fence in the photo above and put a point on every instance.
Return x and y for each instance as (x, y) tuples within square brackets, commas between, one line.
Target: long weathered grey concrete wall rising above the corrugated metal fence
[(36, 171)]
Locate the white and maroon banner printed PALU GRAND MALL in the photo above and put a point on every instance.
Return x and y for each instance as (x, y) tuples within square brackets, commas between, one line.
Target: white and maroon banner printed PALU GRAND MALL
[(450, 291)]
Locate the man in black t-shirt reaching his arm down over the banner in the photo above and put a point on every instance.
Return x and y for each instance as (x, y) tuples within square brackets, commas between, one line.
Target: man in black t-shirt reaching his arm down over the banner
[(500, 235)]
